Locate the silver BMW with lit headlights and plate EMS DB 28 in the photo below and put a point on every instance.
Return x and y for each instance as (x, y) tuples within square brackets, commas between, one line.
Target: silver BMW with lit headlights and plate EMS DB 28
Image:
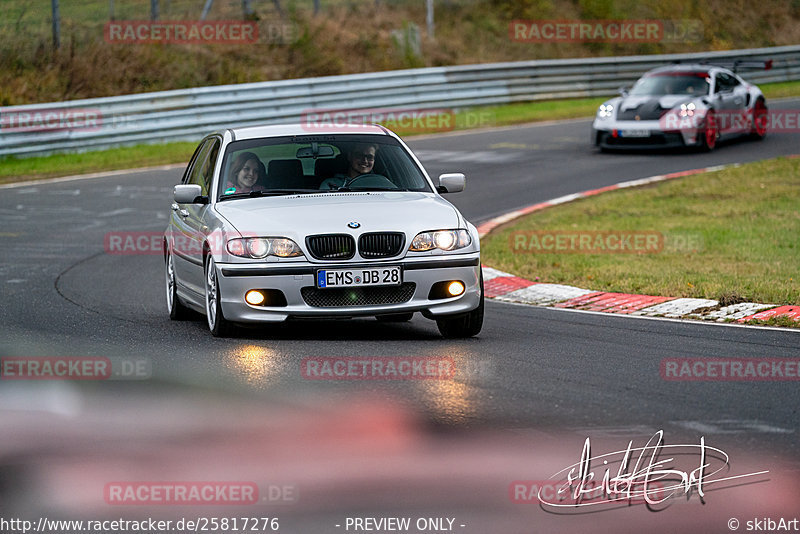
[(277, 222)]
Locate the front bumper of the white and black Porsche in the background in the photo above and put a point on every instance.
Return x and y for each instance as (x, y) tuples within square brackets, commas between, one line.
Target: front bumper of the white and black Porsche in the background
[(611, 134)]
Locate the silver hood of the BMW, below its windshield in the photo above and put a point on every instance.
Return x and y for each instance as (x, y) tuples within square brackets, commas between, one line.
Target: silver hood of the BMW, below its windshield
[(300, 215)]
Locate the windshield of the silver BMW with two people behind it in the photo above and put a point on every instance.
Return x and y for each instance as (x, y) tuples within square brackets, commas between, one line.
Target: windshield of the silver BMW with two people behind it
[(314, 164)]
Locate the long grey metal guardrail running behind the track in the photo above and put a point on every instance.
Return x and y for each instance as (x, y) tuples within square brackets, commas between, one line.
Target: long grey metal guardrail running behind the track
[(190, 113)]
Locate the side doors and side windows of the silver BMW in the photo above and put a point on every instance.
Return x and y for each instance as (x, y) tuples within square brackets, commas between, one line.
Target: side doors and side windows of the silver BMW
[(188, 221)]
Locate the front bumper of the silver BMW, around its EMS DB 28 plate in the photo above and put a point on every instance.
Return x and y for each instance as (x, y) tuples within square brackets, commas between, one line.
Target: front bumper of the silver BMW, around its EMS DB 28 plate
[(295, 279)]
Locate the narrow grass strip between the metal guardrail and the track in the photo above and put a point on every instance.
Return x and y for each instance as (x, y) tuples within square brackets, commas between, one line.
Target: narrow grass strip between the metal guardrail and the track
[(14, 169)]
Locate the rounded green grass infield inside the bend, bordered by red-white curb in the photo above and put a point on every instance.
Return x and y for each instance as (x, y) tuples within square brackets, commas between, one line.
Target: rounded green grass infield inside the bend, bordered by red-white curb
[(729, 235)]
